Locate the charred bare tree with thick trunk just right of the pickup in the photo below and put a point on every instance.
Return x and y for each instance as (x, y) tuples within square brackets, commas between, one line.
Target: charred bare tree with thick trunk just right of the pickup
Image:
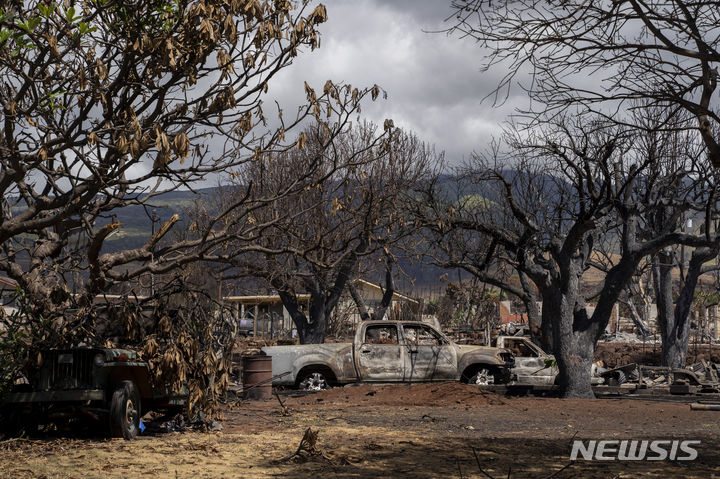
[(569, 187)]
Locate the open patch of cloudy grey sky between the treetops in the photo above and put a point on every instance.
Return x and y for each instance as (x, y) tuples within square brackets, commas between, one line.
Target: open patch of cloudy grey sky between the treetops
[(433, 81)]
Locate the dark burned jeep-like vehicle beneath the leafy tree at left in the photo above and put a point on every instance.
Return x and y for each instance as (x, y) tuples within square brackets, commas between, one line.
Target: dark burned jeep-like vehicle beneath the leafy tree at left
[(112, 386)]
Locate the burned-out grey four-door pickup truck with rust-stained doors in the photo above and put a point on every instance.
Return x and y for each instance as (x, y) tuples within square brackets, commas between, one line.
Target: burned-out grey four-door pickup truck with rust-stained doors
[(385, 352)]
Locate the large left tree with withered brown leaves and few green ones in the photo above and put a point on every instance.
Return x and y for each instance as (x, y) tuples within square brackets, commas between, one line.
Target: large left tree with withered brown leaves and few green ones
[(107, 104)]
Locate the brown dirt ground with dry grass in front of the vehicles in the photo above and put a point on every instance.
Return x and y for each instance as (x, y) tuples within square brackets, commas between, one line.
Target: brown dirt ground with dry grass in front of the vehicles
[(419, 431)]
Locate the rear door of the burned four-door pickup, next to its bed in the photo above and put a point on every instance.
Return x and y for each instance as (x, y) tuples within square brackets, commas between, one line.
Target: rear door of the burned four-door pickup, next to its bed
[(380, 356)]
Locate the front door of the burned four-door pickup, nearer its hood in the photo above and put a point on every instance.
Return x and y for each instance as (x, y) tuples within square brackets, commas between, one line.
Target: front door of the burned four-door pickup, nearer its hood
[(428, 355)]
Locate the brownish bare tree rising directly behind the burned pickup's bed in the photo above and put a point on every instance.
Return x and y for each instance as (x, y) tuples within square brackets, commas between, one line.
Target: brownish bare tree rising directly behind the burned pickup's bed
[(345, 210)]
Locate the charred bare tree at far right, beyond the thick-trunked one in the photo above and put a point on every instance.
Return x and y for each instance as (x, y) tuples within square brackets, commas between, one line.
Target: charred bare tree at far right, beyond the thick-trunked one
[(676, 186)]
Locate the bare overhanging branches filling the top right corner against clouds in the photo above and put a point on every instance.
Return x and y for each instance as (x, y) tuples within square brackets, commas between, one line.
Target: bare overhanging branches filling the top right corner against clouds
[(604, 55)]
